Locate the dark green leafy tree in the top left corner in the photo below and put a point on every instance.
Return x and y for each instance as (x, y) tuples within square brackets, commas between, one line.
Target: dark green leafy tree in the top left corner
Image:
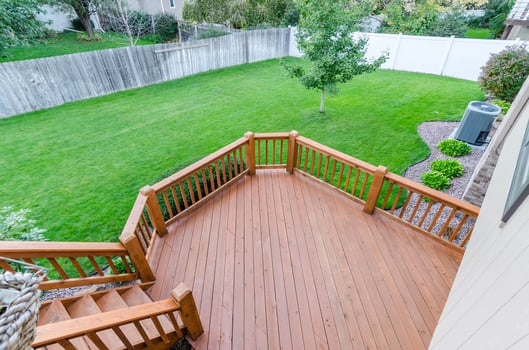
[(18, 23)]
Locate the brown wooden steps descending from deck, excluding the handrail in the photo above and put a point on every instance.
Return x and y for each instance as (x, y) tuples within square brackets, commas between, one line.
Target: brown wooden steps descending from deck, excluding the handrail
[(152, 333)]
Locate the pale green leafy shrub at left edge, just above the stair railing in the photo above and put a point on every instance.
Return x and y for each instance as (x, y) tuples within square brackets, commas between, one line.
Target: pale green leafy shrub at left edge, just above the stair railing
[(15, 226)]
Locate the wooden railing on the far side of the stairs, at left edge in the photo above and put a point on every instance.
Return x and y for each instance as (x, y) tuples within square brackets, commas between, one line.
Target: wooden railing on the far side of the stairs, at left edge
[(72, 264)]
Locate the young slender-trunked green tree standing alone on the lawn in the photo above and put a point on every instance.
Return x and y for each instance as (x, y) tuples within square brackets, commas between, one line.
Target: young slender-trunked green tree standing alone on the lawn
[(326, 37)]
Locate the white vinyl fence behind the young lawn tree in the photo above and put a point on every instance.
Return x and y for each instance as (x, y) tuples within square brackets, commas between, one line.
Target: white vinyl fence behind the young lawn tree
[(453, 57)]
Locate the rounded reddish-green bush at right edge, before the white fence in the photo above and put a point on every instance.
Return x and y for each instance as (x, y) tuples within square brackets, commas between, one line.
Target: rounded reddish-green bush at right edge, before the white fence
[(505, 72)]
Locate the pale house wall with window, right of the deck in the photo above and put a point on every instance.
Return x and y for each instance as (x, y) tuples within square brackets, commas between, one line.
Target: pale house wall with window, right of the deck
[(488, 304)]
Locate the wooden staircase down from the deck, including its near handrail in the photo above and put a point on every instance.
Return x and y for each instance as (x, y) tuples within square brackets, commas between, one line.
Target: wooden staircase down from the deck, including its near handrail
[(121, 318)]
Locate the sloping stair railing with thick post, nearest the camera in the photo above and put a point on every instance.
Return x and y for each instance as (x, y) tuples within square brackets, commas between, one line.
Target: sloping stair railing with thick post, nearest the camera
[(105, 332)]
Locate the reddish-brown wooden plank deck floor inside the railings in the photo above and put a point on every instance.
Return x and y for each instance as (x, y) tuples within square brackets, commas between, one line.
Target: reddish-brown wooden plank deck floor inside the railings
[(284, 261)]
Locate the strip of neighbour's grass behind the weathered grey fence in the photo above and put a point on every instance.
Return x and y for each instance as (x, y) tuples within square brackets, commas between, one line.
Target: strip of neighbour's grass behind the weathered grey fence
[(66, 44)]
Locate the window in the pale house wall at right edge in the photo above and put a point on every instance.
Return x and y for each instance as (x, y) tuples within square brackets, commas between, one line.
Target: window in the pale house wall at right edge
[(520, 182)]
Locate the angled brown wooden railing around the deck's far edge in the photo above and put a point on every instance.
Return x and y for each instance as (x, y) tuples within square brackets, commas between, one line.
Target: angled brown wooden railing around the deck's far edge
[(447, 219)]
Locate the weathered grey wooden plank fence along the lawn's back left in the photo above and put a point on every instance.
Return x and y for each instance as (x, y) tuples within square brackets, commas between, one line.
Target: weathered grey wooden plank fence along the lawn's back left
[(41, 83)]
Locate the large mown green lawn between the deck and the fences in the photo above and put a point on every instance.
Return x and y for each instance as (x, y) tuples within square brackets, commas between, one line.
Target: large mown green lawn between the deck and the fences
[(79, 166)]
